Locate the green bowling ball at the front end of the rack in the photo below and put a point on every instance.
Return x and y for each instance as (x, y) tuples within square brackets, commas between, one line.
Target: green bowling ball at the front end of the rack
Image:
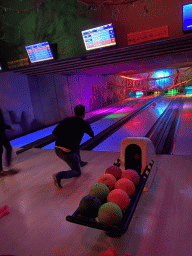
[(110, 214)]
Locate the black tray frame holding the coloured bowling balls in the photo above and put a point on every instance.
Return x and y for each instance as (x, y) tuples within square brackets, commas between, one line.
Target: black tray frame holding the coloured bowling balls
[(116, 230)]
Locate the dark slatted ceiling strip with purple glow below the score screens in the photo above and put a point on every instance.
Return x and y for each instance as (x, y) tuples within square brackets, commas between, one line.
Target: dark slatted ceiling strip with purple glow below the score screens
[(171, 53)]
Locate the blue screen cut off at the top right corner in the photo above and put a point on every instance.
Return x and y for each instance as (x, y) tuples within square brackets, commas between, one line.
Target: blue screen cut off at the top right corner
[(187, 18)]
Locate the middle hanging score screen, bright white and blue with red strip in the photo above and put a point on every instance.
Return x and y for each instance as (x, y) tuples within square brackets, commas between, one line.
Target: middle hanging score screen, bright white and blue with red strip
[(99, 37)]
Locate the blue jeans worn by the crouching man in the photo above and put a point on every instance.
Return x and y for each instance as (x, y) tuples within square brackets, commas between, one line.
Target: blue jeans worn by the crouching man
[(73, 159)]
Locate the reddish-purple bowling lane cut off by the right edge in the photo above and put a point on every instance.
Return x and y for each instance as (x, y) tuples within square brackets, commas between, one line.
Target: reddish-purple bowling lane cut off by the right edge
[(183, 141)]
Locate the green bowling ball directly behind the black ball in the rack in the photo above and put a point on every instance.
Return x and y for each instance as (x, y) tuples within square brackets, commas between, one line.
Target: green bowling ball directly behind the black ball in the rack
[(99, 190)]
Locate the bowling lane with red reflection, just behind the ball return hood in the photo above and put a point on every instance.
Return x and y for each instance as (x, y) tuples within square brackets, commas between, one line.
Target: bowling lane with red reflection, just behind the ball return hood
[(136, 127)]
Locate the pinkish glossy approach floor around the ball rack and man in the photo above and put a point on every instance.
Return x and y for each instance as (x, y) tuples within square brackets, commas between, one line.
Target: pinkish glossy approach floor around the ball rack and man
[(37, 225)]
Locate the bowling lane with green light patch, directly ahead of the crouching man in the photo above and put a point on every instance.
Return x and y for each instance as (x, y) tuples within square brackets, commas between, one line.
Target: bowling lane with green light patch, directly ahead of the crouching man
[(108, 120)]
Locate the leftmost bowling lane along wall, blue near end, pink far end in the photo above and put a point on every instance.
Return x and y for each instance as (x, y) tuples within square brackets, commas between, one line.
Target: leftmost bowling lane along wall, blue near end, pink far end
[(29, 138)]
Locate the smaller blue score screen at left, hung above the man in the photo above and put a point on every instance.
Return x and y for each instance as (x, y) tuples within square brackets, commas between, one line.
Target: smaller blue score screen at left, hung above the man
[(39, 52)]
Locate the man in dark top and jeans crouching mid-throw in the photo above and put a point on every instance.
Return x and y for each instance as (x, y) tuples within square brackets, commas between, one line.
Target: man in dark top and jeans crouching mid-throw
[(69, 133)]
